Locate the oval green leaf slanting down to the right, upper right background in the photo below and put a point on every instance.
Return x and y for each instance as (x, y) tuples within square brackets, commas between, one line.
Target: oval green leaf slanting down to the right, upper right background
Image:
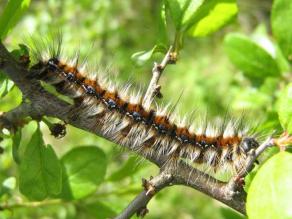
[(255, 62)]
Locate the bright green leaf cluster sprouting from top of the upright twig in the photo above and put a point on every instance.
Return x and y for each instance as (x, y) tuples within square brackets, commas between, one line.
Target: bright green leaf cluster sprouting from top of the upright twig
[(199, 17)]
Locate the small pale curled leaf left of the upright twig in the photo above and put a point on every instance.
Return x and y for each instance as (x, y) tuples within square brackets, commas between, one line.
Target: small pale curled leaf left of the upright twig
[(140, 58)]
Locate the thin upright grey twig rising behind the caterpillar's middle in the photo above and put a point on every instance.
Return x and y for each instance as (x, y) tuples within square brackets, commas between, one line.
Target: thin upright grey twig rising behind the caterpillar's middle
[(153, 88)]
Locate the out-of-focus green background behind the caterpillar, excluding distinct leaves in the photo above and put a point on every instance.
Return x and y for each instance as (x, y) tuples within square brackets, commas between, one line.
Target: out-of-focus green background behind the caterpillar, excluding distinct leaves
[(109, 32)]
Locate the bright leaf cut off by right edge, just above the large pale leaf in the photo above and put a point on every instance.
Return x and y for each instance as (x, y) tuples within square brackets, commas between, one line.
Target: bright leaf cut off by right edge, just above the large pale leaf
[(285, 108)]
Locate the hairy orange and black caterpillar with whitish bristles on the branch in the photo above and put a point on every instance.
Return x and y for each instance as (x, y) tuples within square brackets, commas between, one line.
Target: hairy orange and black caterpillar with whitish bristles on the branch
[(221, 145)]
